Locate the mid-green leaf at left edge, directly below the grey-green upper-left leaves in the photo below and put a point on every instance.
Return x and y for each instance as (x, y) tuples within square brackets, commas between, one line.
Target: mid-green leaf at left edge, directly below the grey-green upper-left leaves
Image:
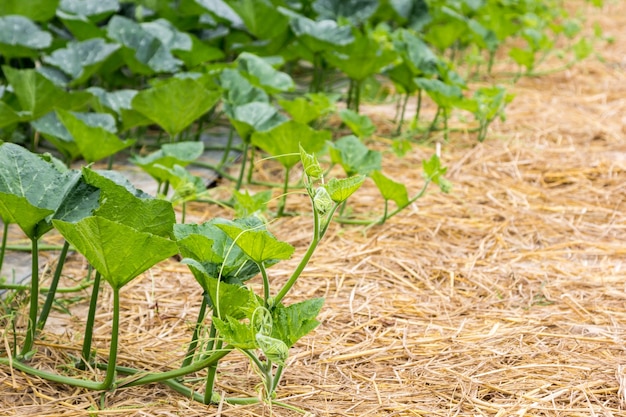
[(38, 95)]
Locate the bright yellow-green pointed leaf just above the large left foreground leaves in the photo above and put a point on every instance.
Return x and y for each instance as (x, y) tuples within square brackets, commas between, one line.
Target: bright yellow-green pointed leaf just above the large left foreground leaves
[(94, 142)]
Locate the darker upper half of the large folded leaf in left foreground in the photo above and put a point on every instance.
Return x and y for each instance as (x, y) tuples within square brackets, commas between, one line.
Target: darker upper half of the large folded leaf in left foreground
[(122, 203)]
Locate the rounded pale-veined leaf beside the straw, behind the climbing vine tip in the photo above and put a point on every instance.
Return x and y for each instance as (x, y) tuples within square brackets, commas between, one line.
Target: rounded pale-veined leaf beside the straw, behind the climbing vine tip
[(354, 156)]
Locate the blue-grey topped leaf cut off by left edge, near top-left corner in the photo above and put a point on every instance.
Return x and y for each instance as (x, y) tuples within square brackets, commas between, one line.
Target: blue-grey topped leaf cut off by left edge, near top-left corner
[(20, 37)]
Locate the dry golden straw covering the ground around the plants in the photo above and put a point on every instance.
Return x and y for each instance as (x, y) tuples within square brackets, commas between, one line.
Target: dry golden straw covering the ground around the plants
[(506, 297)]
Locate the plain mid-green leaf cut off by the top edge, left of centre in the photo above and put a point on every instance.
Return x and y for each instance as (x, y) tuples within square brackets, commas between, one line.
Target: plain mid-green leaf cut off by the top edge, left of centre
[(260, 17)]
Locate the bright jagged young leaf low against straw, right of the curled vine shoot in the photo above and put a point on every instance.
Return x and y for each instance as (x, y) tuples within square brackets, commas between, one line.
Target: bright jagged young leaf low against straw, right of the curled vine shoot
[(295, 321)]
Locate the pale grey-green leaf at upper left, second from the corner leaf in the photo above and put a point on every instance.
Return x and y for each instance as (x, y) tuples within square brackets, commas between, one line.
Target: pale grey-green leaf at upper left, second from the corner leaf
[(81, 60)]
